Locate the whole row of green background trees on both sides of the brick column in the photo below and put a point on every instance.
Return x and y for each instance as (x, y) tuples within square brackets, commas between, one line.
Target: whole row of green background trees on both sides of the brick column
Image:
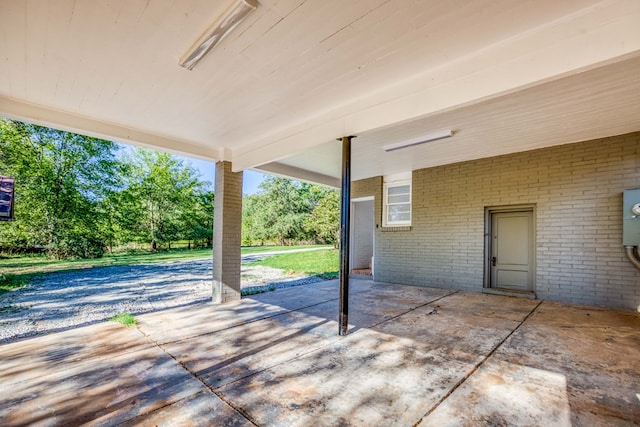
[(77, 196)]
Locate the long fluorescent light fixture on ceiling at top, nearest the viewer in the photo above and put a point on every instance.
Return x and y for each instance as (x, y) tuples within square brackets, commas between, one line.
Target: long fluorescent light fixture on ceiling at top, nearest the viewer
[(216, 32)]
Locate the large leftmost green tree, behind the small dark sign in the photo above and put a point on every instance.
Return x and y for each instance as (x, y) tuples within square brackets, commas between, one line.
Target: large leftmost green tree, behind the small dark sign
[(60, 179)]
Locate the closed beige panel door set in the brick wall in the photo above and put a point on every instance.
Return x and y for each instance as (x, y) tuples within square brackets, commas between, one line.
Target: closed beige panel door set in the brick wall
[(512, 250)]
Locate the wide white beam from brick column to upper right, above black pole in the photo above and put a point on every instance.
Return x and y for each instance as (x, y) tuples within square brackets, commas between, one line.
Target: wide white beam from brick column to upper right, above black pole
[(597, 36)]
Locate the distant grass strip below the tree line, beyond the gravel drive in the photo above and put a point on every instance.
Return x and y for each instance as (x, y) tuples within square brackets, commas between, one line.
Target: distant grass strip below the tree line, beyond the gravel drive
[(16, 272)]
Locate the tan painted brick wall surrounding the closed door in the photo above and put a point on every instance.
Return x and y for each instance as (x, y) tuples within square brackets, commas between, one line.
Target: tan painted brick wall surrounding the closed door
[(577, 193)]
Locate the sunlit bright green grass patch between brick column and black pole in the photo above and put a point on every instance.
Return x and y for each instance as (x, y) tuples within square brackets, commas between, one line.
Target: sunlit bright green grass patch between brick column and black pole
[(323, 263)]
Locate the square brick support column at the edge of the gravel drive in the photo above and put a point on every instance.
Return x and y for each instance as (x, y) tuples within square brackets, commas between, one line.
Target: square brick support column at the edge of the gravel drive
[(227, 234)]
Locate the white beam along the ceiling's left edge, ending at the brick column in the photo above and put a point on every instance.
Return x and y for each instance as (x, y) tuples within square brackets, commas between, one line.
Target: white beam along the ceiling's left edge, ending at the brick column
[(36, 114)]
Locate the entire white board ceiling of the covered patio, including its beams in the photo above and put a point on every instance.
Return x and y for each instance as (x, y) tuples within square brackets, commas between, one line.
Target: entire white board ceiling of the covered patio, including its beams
[(505, 76)]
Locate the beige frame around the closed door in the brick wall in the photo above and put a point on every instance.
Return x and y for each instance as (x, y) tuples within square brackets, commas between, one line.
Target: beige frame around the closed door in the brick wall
[(488, 217)]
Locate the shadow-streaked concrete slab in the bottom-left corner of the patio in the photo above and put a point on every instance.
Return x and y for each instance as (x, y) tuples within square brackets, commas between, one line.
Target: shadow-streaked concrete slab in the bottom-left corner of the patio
[(104, 374)]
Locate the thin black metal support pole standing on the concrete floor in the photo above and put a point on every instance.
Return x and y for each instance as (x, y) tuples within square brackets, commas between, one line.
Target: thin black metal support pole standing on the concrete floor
[(345, 209)]
